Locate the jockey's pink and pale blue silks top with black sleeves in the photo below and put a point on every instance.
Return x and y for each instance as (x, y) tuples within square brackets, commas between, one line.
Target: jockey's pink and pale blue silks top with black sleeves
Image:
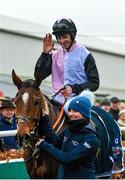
[(76, 68)]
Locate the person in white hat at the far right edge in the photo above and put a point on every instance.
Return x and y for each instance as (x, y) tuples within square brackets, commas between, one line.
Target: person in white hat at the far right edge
[(121, 122)]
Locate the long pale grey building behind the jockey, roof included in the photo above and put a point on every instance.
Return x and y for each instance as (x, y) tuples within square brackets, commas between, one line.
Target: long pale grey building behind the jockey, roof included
[(20, 46)]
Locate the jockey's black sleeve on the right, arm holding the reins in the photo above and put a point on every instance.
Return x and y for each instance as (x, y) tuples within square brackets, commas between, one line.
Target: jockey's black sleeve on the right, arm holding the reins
[(92, 75)]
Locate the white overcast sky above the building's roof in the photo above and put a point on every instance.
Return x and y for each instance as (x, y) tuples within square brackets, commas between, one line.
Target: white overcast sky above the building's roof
[(96, 18)]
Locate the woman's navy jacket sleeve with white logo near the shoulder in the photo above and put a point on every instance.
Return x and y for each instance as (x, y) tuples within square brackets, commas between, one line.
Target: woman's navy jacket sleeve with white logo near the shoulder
[(81, 152)]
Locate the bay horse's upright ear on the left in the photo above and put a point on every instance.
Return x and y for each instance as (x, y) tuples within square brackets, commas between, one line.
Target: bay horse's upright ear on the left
[(16, 80)]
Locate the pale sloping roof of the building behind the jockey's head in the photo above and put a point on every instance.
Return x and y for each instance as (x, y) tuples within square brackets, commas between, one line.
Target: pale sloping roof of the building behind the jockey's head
[(19, 26)]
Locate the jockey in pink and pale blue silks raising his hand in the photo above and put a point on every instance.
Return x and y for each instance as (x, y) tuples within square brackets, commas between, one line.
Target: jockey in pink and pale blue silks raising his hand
[(72, 65)]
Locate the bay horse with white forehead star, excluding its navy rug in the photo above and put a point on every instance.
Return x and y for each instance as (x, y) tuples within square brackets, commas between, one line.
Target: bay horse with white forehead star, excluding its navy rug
[(30, 102)]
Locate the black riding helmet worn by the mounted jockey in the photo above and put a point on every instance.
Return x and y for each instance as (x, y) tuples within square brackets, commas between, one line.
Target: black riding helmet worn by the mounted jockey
[(63, 26)]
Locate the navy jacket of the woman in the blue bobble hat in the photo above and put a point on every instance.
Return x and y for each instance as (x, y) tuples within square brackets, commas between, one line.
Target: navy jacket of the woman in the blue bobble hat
[(75, 151)]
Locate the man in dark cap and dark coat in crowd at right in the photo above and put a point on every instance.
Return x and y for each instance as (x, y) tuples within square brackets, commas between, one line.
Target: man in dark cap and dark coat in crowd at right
[(114, 108)]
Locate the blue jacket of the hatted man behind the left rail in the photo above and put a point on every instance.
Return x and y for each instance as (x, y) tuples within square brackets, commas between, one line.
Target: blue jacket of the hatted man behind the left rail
[(10, 141)]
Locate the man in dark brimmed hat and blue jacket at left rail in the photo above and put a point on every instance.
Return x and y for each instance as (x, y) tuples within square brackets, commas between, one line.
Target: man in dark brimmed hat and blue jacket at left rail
[(8, 122)]
